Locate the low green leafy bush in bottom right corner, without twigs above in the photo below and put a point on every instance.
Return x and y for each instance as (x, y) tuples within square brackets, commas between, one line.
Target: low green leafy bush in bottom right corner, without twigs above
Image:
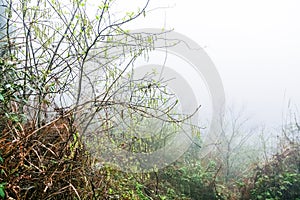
[(279, 179)]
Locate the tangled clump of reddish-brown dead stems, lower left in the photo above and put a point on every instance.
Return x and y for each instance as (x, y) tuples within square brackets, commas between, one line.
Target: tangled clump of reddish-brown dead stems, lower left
[(45, 163)]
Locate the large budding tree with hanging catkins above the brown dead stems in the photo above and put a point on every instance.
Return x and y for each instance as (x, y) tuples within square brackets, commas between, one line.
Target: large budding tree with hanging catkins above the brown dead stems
[(67, 61)]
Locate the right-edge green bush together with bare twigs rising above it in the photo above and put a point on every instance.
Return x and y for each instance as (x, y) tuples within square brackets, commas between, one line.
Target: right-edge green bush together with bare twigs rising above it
[(279, 177)]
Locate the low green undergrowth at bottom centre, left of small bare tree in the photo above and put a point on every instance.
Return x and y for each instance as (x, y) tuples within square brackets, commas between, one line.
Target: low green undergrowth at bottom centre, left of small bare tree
[(190, 178)]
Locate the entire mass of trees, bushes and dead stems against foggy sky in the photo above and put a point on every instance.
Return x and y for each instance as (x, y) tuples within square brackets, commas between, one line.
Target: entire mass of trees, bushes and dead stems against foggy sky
[(50, 95)]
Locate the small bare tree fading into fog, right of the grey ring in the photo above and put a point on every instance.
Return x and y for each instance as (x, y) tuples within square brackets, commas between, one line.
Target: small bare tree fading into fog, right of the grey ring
[(234, 148)]
